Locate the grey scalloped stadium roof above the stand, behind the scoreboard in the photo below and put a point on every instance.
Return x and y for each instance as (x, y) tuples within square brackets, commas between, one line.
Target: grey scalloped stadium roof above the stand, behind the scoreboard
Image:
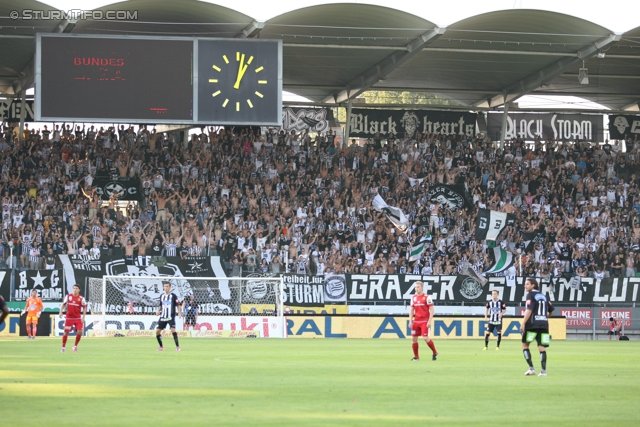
[(333, 52)]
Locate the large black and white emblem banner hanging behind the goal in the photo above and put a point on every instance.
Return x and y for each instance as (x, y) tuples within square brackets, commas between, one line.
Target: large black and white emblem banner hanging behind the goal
[(141, 283)]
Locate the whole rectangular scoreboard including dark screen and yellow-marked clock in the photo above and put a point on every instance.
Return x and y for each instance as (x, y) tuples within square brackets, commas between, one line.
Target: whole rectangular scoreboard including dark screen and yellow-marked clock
[(171, 80)]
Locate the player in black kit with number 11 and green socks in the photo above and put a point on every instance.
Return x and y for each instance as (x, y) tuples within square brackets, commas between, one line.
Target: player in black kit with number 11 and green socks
[(535, 325)]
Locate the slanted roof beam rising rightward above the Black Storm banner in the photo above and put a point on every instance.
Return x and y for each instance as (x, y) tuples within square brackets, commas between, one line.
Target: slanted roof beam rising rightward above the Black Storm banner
[(536, 79)]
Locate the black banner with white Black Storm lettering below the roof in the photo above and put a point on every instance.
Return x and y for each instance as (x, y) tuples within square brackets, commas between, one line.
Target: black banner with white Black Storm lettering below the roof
[(528, 126)]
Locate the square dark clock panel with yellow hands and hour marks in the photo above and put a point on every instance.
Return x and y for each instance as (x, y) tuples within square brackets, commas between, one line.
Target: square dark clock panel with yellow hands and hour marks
[(239, 82)]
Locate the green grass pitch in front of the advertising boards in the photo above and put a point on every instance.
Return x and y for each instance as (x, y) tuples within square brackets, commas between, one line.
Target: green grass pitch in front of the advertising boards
[(307, 382)]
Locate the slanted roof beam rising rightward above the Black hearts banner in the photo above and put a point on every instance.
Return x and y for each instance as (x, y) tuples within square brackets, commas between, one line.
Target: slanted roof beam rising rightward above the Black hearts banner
[(371, 76)]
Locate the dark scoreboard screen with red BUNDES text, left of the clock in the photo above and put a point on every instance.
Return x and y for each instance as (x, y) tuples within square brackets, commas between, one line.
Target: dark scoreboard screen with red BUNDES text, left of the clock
[(87, 78)]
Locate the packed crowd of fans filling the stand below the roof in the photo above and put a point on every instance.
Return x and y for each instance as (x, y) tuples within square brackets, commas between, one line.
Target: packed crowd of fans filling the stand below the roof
[(273, 201)]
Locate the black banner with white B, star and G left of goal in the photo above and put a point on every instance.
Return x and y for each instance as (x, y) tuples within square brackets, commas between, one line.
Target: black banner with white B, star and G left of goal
[(48, 284)]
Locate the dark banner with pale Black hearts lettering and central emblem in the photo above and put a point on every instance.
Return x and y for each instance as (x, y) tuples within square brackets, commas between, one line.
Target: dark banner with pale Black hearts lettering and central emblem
[(366, 123)]
